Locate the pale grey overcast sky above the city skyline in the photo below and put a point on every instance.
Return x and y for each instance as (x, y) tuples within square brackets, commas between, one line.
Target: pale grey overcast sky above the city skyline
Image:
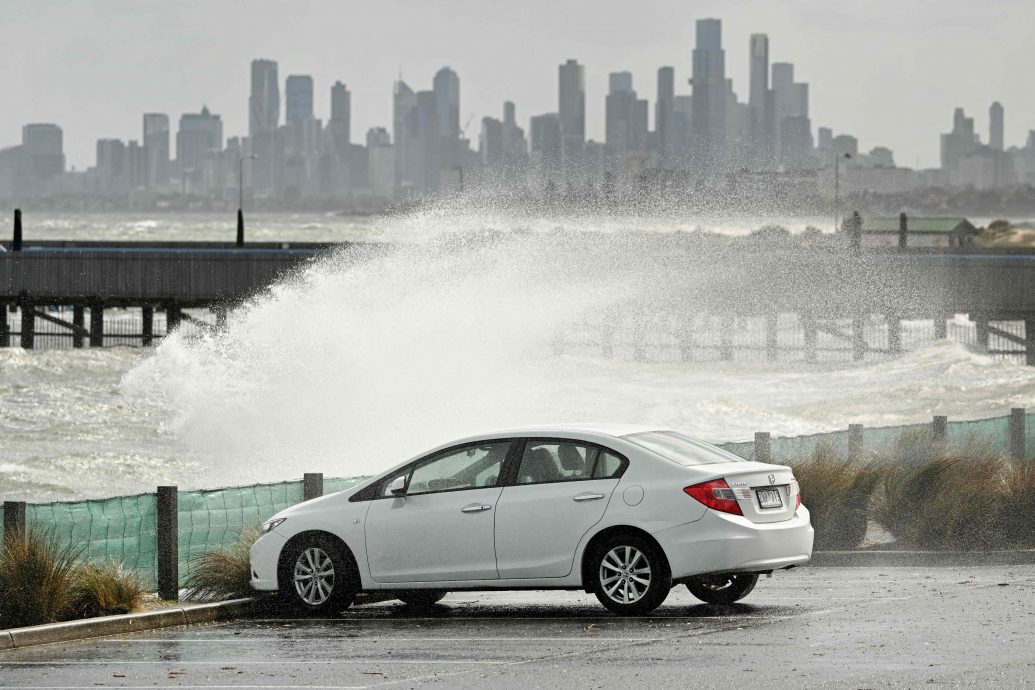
[(890, 72)]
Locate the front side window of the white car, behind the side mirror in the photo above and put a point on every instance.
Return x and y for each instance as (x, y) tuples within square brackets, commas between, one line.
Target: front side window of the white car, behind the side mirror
[(472, 467)]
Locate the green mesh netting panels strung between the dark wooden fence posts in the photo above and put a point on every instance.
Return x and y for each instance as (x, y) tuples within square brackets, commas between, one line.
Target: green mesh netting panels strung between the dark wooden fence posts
[(125, 528)]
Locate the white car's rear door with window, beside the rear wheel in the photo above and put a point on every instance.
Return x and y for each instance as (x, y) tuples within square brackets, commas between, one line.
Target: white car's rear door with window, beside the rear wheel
[(560, 491)]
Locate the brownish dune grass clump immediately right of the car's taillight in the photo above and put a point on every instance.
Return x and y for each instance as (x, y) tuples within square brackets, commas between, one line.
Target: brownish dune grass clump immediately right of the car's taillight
[(838, 494)]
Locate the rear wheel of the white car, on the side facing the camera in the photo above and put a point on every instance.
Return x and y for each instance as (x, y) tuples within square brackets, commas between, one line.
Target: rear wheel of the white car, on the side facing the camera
[(630, 575)]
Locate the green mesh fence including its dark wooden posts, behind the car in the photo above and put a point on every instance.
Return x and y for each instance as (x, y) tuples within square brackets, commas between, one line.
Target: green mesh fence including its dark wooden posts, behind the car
[(157, 534)]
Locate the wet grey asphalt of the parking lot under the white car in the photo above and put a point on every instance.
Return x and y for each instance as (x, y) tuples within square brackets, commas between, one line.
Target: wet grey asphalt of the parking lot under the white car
[(814, 627)]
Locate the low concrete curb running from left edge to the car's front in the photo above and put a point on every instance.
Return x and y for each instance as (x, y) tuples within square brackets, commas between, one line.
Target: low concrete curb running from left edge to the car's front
[(121, 625)]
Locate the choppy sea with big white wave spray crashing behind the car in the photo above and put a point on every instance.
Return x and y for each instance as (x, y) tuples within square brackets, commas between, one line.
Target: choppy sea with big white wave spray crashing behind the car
[(366, 358)]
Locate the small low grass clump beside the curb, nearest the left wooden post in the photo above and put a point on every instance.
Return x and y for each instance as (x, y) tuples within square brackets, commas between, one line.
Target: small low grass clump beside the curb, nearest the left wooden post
[(104, 589)]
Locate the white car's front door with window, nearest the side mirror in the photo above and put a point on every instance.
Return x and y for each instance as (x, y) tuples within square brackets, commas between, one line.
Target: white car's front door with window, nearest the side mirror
[(442, 528)]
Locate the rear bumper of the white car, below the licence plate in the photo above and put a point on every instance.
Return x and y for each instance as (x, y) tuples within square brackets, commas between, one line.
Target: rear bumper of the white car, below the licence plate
[(720, 543)]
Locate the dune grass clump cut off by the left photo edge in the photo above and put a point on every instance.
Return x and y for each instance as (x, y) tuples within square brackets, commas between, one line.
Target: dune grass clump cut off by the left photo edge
[(37, 576)]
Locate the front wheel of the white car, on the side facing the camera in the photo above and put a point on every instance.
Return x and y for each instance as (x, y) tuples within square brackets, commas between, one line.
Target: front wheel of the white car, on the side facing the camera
[(318, 577)]
